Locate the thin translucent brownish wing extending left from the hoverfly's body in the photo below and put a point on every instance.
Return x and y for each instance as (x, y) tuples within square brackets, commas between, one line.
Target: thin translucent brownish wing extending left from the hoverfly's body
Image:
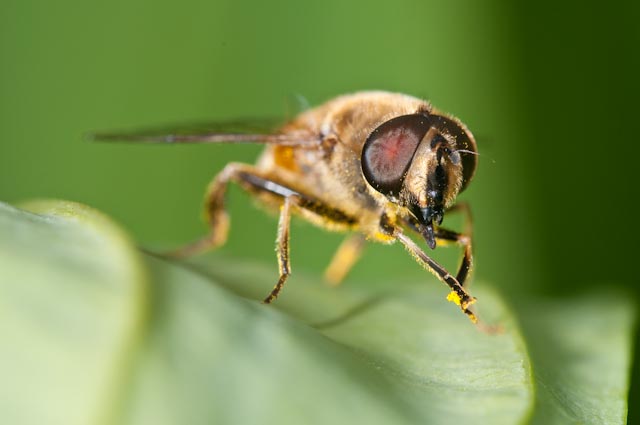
[(264, 131)]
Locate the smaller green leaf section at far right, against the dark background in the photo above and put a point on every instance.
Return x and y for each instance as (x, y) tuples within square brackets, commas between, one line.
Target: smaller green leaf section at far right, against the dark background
[(582, 356)]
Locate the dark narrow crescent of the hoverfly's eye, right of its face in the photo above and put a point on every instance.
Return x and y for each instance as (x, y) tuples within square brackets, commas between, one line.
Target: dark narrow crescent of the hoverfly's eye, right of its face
[(464, 141)]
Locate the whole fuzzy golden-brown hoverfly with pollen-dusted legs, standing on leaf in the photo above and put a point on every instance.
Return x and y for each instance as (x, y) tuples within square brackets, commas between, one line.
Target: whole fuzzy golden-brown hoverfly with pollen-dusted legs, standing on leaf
[(377, 165)]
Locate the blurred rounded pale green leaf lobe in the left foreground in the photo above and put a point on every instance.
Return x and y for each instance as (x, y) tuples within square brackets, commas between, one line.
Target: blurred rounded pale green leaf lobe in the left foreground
[(72, 294)]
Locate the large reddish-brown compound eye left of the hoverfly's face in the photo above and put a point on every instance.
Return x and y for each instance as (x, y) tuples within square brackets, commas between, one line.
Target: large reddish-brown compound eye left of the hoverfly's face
[(388, 151)]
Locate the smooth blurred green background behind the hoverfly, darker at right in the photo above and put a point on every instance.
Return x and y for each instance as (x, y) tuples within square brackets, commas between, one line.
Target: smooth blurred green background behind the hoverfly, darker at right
[(549, 90)]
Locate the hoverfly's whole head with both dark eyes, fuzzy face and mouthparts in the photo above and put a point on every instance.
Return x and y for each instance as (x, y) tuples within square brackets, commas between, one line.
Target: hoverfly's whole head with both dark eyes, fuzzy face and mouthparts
[(420, 162)]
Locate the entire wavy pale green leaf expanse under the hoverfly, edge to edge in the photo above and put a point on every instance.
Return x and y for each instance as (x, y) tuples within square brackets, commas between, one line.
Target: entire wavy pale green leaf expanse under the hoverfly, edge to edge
[(94, 332)]
